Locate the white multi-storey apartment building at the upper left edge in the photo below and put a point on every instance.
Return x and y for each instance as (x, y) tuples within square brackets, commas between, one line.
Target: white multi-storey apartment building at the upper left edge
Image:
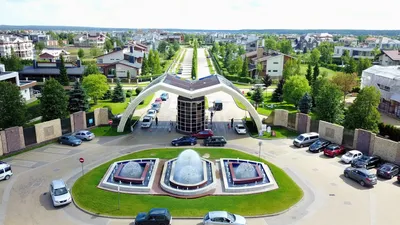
[(22, 46)]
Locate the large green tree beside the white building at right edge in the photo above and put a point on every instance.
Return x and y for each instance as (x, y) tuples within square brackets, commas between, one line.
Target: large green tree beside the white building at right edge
[(363, 113)]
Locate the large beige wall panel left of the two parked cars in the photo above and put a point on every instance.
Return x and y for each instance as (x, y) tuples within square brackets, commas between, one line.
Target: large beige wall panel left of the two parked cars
[(48, 130)]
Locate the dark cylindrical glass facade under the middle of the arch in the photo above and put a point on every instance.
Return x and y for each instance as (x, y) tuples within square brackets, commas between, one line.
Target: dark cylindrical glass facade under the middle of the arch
[(191, 115)]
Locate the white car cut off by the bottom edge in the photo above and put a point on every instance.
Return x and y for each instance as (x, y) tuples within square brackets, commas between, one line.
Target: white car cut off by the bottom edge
[(223, 217)]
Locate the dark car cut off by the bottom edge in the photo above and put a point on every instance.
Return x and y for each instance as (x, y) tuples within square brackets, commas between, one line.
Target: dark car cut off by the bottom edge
[(154, 217)]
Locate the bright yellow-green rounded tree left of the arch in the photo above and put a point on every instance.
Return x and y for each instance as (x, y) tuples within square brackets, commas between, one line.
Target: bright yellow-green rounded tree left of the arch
[(95, 85)]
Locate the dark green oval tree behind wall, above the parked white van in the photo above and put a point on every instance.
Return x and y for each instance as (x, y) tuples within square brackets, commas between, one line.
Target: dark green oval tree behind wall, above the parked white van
[(329, 104)]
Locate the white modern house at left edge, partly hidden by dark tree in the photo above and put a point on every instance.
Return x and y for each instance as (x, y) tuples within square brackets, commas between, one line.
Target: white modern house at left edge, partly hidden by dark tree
[(25, 86)]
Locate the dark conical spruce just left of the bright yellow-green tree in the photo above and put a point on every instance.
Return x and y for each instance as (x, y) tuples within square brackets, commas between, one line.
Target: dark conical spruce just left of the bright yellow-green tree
[(78, 100)]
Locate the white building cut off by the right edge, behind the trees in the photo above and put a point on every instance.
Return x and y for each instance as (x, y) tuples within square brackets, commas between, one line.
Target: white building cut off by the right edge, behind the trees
[(387, 80)]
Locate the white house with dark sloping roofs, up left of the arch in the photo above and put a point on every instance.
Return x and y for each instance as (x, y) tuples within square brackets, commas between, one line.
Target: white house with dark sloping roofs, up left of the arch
[(123, 60)]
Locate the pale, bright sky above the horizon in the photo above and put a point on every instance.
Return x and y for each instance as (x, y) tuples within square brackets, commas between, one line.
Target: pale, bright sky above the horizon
[(205, 14)]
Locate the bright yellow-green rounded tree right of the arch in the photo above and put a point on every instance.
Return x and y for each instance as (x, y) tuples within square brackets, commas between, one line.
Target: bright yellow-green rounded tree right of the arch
[(294, 89)]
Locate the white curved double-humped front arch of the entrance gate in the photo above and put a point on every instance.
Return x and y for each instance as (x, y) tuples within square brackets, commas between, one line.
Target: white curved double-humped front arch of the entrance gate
[(188, 94)]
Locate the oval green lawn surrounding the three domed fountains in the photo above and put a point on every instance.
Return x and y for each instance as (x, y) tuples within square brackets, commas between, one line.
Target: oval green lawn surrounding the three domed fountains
[(88, 196)]
